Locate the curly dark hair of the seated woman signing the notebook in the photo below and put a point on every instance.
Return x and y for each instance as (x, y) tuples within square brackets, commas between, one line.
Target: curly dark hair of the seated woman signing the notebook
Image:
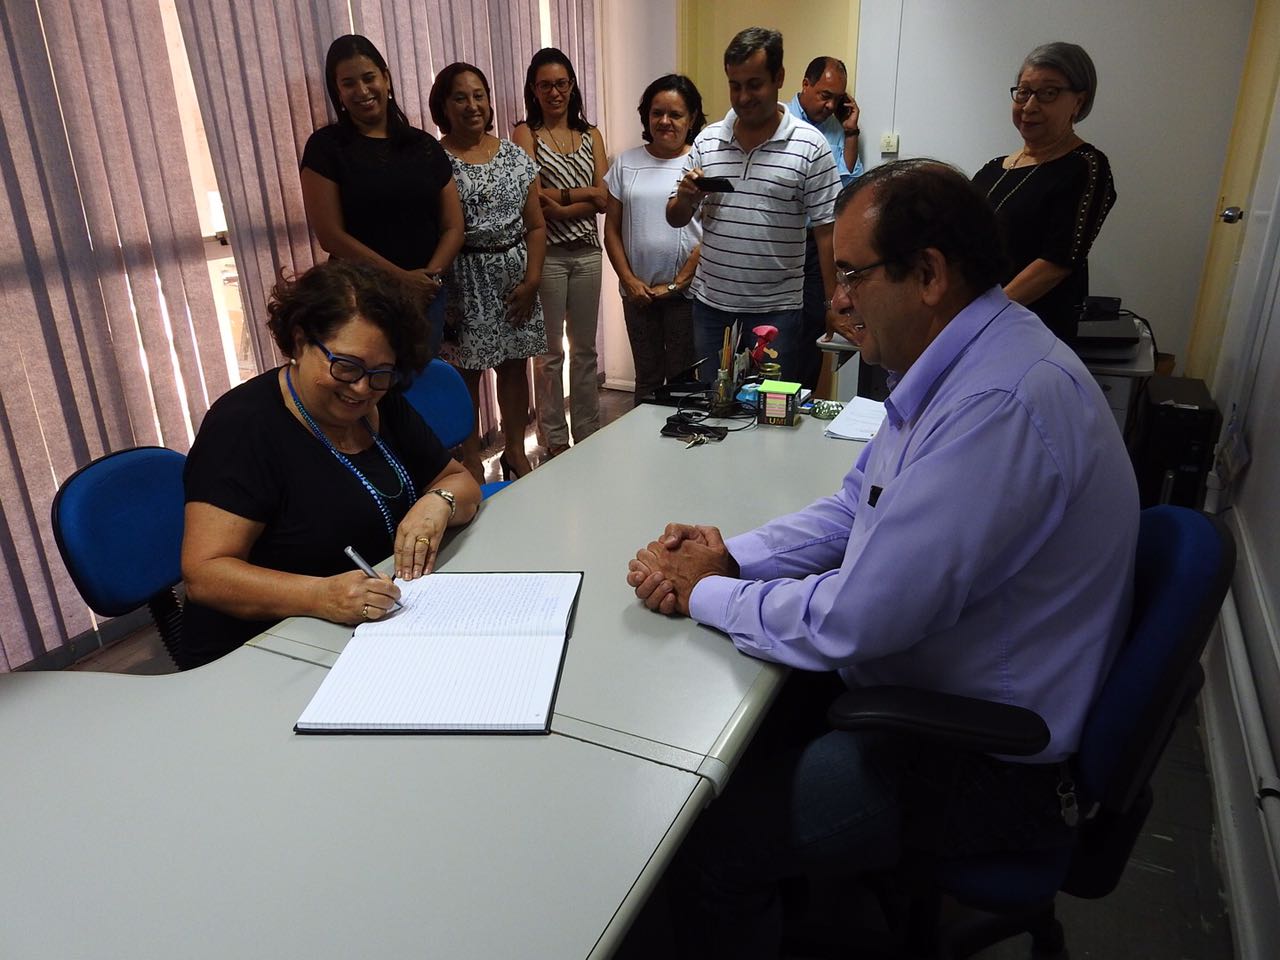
[(330, 295)]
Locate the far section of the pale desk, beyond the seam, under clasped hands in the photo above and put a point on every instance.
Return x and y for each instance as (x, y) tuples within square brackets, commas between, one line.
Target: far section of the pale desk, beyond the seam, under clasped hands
[(653, 687)]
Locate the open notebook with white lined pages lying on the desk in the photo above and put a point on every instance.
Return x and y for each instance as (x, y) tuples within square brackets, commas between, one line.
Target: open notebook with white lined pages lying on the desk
[(469, 653)]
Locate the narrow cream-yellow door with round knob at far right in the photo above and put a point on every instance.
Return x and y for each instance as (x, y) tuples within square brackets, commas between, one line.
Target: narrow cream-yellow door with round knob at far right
[(1259, 89)]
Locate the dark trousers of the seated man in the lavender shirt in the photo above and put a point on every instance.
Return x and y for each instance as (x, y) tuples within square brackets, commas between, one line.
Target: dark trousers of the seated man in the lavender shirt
[(808, 801)]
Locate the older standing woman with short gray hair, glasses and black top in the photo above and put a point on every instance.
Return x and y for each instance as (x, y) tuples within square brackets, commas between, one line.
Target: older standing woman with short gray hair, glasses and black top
[(1054, 194)]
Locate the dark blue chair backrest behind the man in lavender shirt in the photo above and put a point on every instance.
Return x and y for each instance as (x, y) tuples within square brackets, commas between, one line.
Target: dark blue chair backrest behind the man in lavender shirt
[(1183, 570)]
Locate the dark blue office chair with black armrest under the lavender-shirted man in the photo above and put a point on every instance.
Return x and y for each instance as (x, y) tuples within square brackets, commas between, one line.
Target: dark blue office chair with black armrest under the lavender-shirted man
[(1183, 572)]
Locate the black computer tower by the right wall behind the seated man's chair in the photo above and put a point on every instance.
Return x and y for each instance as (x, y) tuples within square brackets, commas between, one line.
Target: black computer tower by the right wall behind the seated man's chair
[(1173, 442)]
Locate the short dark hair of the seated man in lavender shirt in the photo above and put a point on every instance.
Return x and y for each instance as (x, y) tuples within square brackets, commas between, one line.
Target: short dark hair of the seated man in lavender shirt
[(927, 204)]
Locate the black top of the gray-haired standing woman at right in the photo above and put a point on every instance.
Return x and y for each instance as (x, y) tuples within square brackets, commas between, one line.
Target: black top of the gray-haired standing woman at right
[(1053, 212)]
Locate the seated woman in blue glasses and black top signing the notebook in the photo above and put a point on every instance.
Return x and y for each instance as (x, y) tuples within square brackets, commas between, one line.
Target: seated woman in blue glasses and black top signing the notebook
[(322, 454)]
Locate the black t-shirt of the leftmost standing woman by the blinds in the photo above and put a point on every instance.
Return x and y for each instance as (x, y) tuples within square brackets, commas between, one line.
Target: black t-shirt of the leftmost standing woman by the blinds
[(390, 193)]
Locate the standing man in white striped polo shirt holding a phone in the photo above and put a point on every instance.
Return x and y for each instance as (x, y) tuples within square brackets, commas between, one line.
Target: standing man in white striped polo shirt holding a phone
[(784, 173)]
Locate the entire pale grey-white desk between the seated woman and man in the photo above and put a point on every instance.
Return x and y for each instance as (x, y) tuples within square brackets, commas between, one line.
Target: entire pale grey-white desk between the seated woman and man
[(181, 817)]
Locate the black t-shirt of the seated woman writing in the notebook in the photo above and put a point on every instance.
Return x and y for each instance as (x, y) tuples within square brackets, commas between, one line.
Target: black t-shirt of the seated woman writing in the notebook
[(255, 460)]
